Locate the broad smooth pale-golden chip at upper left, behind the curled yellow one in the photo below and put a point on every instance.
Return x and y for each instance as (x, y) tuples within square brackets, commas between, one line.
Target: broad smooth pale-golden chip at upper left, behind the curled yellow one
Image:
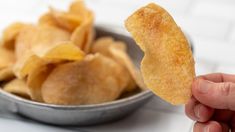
[(43, 36)]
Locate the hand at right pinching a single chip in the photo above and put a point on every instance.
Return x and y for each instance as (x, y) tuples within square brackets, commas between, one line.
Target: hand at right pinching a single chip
[(213, 103)]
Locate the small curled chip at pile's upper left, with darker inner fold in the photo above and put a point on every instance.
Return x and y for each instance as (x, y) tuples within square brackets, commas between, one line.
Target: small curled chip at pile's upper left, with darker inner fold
[(10, 34)]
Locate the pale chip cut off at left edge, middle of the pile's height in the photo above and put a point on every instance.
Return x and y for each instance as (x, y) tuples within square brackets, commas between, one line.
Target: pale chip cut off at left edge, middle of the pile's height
[(7, 58)]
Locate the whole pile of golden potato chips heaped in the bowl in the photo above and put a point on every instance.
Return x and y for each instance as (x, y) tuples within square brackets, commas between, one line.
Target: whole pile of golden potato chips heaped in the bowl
[(58, 60)]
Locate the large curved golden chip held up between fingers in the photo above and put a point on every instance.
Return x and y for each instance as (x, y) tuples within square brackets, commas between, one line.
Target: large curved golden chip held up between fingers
[(168, 65)]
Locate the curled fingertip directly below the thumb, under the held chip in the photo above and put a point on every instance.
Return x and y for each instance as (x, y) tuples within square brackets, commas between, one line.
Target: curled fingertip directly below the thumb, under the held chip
[(197, 111)]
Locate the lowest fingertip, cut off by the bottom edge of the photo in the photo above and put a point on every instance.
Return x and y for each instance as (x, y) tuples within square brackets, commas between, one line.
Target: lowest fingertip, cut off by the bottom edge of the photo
[(211, 126)]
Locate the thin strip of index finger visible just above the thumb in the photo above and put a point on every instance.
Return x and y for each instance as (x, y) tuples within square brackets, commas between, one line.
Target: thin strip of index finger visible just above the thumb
[(218, 77)]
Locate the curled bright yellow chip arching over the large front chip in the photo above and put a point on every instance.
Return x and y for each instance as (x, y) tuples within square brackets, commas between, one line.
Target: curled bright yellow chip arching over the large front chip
[(65, 51)]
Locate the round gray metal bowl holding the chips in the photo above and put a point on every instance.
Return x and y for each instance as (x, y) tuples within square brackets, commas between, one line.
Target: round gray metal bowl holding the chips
[(81, 114)]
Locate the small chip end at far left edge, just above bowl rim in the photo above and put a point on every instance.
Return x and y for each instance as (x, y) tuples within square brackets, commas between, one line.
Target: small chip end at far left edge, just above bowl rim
[(6, 74)]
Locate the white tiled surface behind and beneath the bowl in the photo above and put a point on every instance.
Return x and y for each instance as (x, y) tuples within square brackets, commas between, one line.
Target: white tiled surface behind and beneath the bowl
[(210, 24)]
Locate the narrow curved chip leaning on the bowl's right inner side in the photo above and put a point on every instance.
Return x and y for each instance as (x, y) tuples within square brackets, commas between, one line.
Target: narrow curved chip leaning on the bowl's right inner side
[(117, 50)]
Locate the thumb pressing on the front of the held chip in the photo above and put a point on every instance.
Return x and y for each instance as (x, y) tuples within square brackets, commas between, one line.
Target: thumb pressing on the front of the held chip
[(216, 95)]
